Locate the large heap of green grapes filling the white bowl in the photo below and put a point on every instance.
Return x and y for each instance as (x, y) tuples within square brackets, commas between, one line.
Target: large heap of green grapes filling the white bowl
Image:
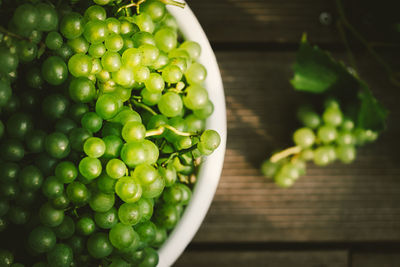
[(101, 135)]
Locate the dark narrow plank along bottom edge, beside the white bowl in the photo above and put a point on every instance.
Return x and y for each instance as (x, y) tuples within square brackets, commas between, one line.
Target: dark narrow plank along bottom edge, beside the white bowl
[(263, 258)]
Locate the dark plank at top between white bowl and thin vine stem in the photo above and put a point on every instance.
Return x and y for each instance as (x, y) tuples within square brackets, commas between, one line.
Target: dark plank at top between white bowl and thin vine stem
[(250, 21)]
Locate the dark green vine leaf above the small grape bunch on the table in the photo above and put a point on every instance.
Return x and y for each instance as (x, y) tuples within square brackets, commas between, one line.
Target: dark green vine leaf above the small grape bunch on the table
[(315, 71)]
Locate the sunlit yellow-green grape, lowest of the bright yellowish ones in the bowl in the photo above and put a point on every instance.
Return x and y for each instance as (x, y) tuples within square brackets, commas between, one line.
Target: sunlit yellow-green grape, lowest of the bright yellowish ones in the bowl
[(128, 189)]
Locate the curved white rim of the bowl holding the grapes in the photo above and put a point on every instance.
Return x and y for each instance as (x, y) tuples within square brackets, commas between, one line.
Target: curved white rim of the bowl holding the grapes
[(210, 170)]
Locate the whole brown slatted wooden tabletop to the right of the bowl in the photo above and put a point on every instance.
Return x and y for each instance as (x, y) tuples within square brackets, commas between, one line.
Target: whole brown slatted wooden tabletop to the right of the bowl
[(340, 215)]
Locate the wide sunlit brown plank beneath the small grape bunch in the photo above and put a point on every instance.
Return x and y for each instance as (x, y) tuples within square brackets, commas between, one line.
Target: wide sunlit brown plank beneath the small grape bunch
[(339, 203)]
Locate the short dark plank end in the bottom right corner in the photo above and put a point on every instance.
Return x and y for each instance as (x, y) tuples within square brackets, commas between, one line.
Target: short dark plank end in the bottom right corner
[(373, 259)]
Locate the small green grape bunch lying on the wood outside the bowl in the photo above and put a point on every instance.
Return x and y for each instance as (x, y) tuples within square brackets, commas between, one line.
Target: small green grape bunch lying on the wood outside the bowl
[(323, 138)]
